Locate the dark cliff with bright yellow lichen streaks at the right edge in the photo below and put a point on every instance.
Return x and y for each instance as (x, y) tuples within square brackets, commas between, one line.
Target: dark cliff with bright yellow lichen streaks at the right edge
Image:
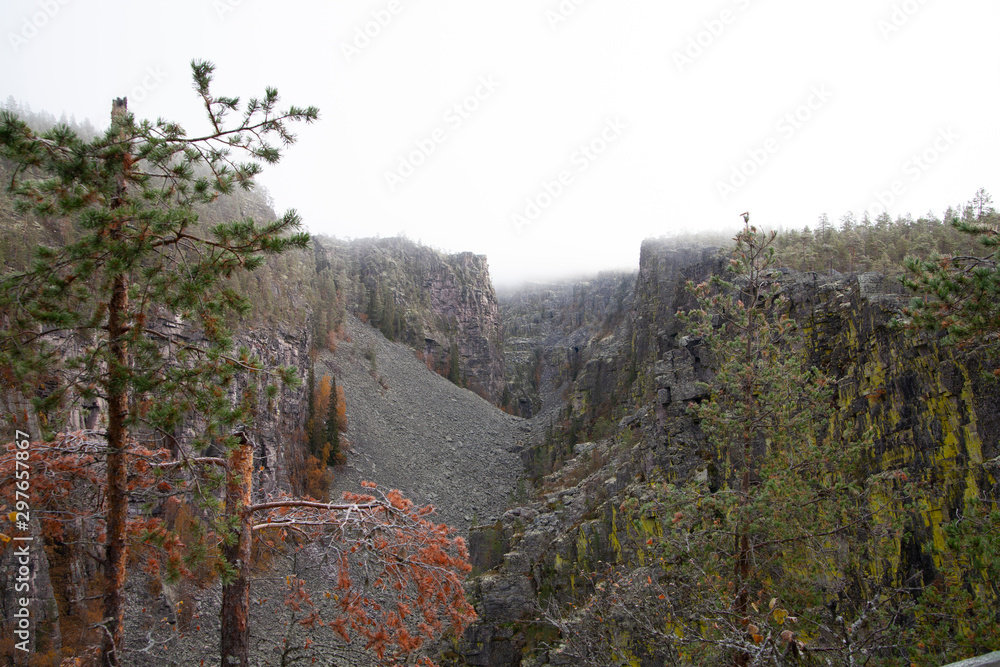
[(930, 411)]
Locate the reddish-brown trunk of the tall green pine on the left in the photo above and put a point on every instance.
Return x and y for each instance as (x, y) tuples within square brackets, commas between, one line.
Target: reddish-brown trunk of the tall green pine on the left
[(116, 553)]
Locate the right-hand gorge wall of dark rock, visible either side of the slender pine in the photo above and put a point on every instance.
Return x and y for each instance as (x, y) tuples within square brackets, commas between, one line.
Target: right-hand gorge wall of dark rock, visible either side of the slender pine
[(928, 412)]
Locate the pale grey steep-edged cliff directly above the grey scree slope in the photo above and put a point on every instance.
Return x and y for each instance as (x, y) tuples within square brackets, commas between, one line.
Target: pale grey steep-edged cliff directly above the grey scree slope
[(440, 305)]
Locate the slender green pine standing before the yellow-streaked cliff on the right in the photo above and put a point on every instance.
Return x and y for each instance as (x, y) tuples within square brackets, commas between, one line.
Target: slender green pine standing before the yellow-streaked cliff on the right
[(751, 553)]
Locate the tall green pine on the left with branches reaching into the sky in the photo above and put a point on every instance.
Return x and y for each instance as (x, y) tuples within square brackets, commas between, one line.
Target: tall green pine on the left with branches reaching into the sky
[(141, 254)]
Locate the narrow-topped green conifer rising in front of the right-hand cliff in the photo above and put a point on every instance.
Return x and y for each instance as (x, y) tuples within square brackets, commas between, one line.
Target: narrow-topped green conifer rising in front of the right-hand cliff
[(764, 413)]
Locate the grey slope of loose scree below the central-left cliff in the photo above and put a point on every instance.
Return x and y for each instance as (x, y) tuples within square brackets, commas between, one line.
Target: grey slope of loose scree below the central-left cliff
[(413, 430)]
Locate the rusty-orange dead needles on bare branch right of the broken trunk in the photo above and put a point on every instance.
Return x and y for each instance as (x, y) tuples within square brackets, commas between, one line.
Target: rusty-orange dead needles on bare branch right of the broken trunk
[(410, 587)]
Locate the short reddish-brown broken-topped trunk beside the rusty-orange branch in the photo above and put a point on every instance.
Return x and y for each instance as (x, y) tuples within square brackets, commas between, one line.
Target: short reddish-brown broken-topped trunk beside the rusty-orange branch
[(235, 646)]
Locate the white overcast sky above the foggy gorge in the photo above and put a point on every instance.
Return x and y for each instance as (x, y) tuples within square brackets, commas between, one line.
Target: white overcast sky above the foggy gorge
[(671, 98)]
